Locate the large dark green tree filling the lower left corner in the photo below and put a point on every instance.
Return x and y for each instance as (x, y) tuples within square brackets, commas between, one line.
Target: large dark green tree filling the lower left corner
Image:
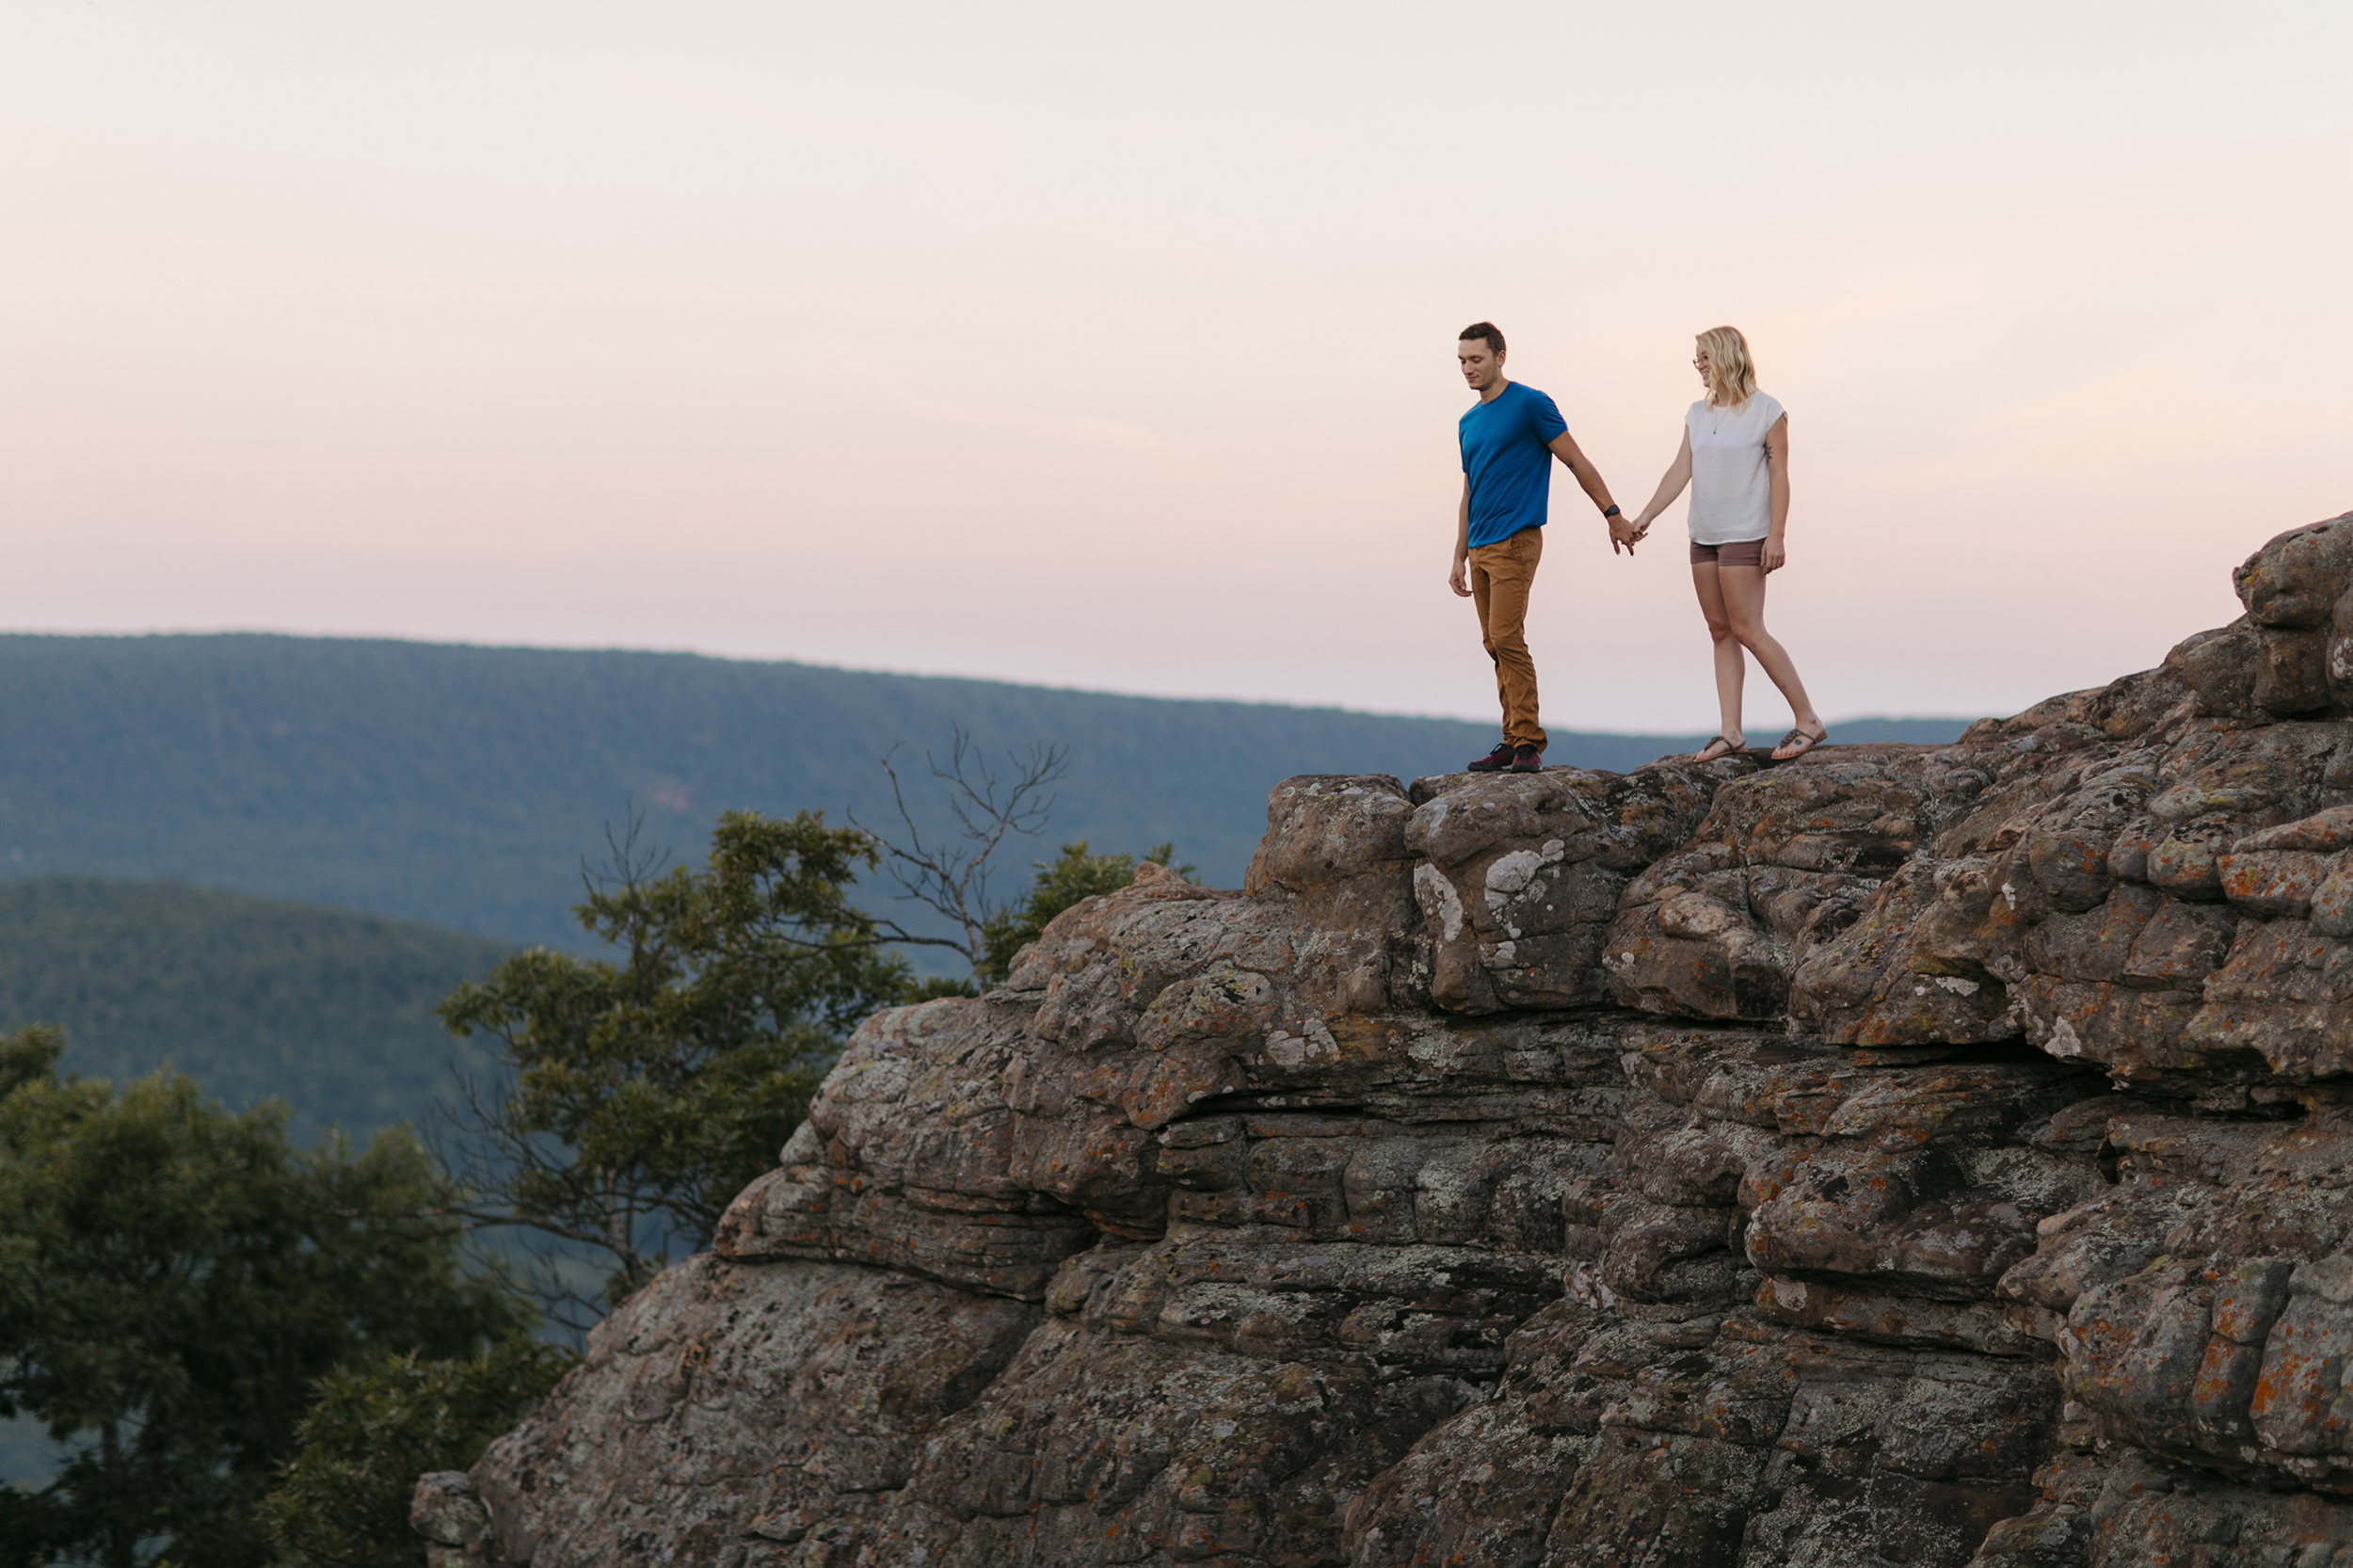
[(173, 1280)]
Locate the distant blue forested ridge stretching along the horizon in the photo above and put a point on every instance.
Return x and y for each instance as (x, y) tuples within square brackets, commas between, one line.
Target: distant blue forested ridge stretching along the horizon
[(465, 785)]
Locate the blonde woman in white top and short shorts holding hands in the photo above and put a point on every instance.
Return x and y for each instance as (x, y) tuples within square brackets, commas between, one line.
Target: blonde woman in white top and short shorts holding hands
[(1735, 458)]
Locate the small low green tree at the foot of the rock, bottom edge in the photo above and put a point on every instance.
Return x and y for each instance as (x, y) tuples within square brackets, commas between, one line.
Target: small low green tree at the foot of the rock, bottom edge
[(380, 1423)]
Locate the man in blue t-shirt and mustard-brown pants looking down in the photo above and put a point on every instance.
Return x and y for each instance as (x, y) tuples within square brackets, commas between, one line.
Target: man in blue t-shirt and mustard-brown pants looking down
[(1509, 441)]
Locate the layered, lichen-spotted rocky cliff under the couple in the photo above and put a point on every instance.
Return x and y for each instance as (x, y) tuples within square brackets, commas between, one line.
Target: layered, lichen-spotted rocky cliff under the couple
[(1898, 1157)]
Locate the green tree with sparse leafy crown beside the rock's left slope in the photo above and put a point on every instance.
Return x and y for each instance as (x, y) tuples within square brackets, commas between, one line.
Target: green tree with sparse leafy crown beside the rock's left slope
[(639, 1096)]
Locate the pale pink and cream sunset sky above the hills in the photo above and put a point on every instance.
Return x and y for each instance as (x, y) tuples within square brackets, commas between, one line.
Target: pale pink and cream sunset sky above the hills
[(1114, 347)]
